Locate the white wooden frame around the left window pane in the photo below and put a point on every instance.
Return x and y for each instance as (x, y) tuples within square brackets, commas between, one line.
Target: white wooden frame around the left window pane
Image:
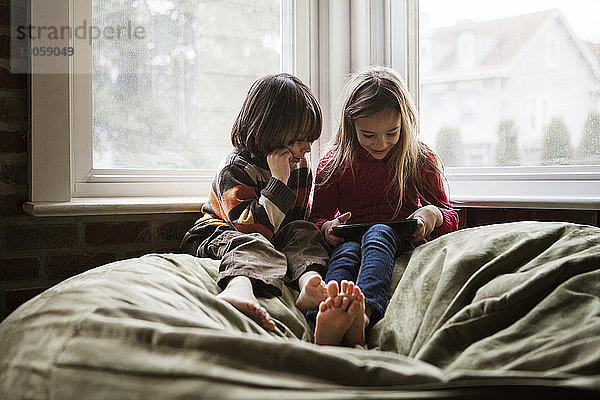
[(63, 181)]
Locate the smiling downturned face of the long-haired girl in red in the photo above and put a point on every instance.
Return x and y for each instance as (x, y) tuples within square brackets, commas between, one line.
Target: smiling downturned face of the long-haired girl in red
[(379, 132)]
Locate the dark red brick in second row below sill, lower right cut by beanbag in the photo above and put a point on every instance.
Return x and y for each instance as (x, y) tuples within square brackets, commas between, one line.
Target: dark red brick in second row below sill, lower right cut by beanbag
[(66, 265)]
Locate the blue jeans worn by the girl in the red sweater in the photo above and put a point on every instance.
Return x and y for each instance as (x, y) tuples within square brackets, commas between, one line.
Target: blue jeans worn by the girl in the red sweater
[(369, 264)]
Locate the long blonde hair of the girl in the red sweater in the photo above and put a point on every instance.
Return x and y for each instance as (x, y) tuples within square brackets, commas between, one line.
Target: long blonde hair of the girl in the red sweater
[(366, 93)]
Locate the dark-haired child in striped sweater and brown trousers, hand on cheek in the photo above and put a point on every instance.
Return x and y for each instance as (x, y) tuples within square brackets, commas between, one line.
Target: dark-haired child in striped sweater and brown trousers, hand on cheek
[(254, 218)]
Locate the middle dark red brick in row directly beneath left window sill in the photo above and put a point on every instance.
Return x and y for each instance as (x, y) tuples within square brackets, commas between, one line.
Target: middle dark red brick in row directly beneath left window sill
[(99, 234)]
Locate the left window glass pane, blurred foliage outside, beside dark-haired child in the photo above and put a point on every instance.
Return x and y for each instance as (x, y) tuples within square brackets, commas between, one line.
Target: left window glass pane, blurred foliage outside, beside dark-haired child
[(168, 96)]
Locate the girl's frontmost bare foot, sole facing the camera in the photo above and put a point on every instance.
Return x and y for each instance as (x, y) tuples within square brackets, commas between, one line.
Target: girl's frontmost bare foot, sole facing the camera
[(335, 316)]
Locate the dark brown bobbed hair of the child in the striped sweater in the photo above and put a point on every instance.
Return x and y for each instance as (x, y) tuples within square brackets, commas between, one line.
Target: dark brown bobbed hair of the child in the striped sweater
[(278, 111)]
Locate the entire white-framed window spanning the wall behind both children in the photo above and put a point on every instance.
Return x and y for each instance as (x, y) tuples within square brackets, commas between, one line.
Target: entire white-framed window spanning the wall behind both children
[(528, 130)]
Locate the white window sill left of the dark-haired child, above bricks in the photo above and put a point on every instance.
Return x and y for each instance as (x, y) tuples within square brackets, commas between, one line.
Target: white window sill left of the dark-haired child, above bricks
[(115, 206)]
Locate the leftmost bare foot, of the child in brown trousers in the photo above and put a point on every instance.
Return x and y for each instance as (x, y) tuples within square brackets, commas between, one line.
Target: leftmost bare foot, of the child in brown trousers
[(239, 294)]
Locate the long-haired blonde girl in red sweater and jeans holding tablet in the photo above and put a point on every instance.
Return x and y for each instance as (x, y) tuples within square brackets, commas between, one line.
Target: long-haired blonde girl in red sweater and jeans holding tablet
[(377, 170)]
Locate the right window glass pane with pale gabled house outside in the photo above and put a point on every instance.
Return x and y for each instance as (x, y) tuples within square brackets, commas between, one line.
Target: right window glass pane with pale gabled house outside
[(512, 82)]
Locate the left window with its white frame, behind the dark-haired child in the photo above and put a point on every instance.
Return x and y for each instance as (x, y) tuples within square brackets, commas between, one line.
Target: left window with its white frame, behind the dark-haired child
[(144, 105)]
